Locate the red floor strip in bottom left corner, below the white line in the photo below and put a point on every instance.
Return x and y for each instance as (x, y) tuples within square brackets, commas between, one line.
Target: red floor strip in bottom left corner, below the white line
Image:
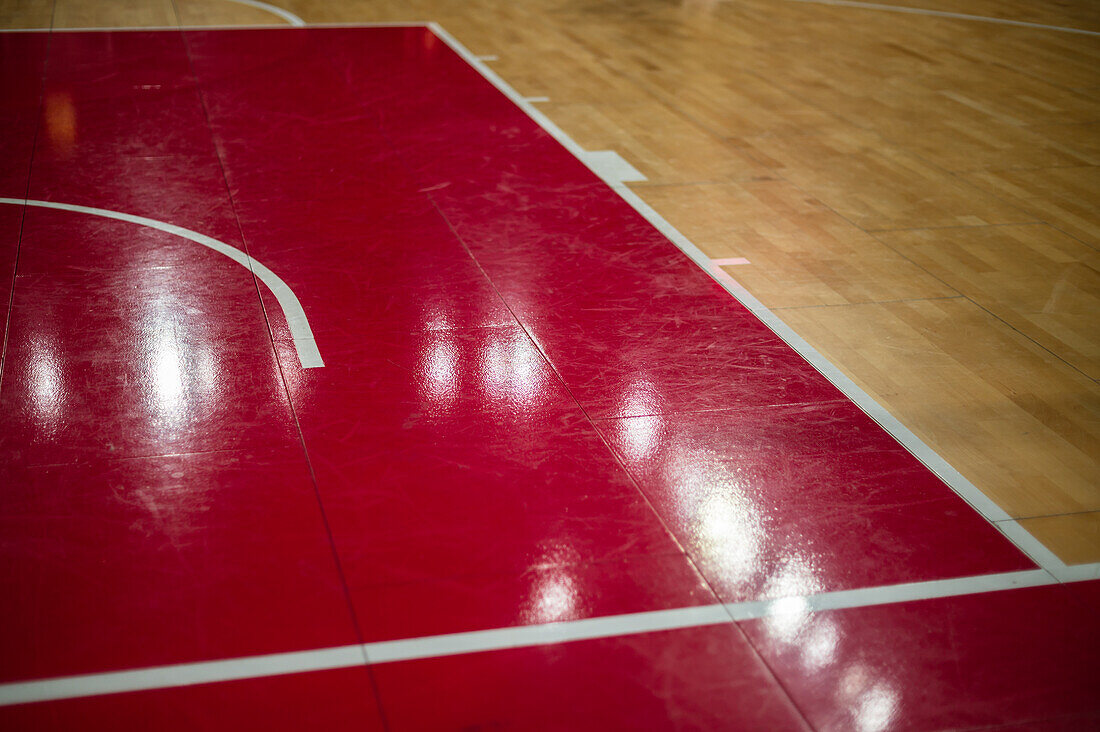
[(338, 701)]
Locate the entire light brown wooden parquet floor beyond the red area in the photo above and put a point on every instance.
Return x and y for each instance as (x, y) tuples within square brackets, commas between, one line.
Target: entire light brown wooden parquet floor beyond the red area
[(917, 195)]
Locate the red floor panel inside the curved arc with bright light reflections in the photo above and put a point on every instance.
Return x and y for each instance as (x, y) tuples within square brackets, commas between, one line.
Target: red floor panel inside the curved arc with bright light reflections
[(113, 364)]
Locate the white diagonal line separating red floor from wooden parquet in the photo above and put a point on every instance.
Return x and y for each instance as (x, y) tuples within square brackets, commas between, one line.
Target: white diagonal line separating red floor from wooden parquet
[(953, 478)]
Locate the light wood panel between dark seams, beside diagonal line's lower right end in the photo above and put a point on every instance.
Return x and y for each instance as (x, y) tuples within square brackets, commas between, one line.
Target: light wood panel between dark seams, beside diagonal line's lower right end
[(1025, 424)]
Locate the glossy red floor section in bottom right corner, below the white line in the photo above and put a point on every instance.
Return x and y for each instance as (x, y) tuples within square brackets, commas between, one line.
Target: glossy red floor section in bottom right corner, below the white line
[(1015, 658)]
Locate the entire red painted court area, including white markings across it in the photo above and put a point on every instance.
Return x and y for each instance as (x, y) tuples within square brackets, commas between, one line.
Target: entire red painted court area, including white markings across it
[(318, 343)]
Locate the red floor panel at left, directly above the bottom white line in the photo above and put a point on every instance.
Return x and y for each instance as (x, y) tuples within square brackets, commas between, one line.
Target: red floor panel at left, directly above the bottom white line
[(157, 561)]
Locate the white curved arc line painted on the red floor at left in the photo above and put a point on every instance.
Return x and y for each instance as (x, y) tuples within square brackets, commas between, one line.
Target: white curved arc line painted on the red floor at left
[(296, 320)]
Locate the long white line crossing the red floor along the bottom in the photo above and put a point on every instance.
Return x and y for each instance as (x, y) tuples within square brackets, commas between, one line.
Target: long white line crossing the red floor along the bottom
[(435, 647)]
